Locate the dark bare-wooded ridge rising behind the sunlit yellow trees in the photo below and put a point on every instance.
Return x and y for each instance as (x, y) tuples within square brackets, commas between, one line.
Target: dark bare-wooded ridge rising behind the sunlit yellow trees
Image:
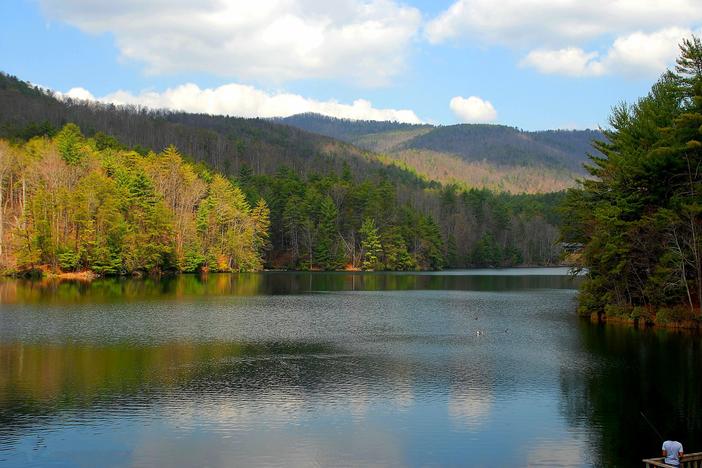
[(224, 143)]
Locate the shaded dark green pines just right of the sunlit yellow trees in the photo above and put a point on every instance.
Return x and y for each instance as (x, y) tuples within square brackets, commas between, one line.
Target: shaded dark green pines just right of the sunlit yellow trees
[(331, 222)]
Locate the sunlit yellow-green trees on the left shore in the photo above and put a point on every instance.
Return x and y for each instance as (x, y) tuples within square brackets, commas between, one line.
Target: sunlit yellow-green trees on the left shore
[(73, 203)]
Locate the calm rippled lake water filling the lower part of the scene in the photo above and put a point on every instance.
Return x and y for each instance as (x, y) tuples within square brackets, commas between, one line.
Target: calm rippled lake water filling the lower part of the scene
[(300, 369)]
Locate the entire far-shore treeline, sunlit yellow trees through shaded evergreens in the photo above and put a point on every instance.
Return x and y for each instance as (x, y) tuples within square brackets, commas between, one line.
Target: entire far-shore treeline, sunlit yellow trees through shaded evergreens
[(74, 203)]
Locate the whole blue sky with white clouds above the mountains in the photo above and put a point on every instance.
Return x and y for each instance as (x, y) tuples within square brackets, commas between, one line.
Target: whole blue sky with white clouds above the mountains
[(553, 64)]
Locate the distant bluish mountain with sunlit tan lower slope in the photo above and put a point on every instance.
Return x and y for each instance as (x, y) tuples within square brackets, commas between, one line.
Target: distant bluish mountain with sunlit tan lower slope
[(492, 156)]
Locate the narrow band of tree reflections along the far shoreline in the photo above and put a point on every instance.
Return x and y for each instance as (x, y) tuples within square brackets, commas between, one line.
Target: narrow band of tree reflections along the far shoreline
[(21, 291)]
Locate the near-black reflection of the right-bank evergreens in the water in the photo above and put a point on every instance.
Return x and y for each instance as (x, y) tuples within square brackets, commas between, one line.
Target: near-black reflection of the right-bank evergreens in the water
[(626, 371)]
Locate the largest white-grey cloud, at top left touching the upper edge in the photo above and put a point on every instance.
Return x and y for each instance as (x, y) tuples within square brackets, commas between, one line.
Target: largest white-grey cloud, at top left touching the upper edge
[(273, 40)]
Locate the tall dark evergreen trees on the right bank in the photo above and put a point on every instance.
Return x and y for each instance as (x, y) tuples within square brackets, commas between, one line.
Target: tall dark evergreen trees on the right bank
[(639, 218)]
